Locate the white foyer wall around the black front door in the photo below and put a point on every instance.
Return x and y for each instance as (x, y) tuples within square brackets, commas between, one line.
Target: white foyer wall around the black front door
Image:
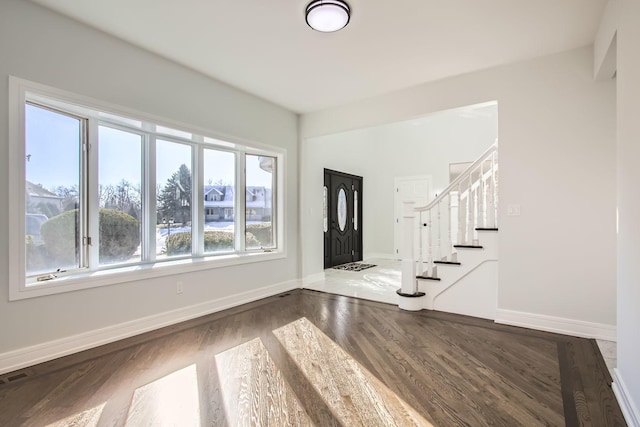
[(421, 146)]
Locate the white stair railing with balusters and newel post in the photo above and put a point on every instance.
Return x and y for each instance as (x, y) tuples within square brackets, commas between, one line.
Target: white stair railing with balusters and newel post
[(469, 202)]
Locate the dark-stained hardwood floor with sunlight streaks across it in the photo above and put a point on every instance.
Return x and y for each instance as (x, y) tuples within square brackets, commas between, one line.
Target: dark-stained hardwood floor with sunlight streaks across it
[(308, 358)]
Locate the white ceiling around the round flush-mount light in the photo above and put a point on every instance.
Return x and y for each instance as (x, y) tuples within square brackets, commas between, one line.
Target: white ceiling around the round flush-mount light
[(265, 47)]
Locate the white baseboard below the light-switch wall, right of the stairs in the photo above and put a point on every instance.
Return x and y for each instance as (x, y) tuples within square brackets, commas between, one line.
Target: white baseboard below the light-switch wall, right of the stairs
[(559, 325)]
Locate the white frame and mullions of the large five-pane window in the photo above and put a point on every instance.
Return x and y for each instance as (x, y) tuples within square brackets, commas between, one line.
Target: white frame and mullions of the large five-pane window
[(21, 91)]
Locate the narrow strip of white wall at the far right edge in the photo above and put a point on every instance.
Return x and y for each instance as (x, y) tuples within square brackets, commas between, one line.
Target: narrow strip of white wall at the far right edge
[(621, 23)]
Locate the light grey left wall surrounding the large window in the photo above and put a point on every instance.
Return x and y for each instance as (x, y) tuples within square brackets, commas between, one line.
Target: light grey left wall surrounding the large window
[(41, 46)]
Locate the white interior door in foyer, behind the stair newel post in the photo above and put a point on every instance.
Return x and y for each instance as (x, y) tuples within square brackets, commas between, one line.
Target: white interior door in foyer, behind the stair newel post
[(416, 189)]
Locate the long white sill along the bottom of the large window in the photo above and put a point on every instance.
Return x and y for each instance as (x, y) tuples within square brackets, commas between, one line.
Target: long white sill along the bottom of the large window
[(87, 280)]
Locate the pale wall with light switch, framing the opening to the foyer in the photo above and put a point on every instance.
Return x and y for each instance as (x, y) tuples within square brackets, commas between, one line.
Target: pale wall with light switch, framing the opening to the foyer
[(557, 160)]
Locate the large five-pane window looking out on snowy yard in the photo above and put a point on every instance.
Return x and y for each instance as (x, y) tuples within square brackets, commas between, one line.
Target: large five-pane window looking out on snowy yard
[(110, 194)]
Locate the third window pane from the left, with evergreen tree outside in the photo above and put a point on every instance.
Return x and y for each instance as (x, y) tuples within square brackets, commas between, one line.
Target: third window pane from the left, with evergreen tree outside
[(173, 199)]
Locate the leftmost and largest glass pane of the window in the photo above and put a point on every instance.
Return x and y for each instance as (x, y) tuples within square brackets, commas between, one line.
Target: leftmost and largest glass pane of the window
[(53, 188)]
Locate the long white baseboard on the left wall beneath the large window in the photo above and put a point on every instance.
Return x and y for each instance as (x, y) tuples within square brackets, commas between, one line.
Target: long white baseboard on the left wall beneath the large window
[(29, 356)]
